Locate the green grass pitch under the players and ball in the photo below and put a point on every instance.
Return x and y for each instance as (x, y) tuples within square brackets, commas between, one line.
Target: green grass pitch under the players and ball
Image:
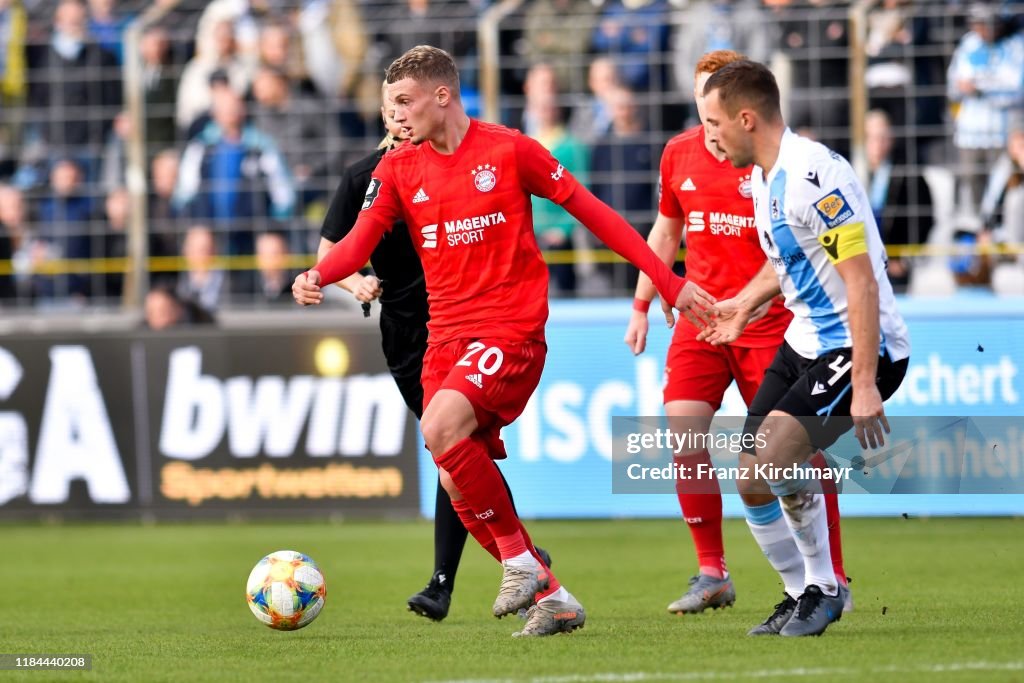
[(936, 600)]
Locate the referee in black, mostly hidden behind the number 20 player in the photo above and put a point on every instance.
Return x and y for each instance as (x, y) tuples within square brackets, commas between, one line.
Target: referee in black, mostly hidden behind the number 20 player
[(400, 286)]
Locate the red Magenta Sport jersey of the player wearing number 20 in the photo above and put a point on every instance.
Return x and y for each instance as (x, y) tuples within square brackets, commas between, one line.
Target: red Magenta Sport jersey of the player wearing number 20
[(472, 221)]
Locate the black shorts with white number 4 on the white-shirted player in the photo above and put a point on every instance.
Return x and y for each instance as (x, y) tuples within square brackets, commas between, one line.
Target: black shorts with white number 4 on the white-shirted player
[(818, 391)]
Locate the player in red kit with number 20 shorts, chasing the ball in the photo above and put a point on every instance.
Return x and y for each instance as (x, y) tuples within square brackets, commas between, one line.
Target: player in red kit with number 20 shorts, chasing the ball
[(464, 189)]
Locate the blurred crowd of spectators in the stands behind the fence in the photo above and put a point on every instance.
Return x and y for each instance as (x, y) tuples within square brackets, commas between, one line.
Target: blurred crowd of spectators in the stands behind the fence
[(250, 111)]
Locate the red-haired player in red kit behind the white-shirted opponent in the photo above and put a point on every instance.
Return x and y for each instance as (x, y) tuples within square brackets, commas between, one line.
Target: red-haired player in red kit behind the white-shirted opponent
[(703, 192)]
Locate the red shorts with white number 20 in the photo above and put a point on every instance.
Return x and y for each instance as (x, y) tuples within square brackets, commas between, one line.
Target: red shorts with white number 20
[(498, 376)]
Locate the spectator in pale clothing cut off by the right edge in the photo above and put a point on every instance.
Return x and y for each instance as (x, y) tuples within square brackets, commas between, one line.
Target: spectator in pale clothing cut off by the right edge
[(1006, 188)]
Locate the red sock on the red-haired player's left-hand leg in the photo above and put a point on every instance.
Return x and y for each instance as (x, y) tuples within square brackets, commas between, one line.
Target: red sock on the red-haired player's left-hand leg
[(701, 501)]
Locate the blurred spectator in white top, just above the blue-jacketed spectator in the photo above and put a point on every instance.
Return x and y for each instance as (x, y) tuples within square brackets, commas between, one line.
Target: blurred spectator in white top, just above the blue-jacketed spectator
[(218, 53)]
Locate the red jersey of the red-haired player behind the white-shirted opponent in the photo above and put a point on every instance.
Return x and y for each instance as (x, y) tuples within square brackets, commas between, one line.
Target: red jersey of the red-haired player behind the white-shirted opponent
[(723, 251)]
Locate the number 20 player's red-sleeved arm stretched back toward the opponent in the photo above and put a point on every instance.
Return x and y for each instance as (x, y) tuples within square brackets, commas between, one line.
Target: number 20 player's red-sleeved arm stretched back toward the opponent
[(613, 230)]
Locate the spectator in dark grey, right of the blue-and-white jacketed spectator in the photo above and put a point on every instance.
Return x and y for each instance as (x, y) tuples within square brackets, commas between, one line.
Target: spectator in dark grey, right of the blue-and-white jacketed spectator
[(300, 125)]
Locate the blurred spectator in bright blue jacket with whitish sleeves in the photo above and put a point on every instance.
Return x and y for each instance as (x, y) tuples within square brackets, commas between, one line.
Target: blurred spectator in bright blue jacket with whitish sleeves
[(232, 174)]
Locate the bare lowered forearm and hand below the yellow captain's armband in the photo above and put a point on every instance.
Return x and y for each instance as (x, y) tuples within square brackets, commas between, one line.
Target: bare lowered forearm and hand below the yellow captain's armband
[(863, 301)]
